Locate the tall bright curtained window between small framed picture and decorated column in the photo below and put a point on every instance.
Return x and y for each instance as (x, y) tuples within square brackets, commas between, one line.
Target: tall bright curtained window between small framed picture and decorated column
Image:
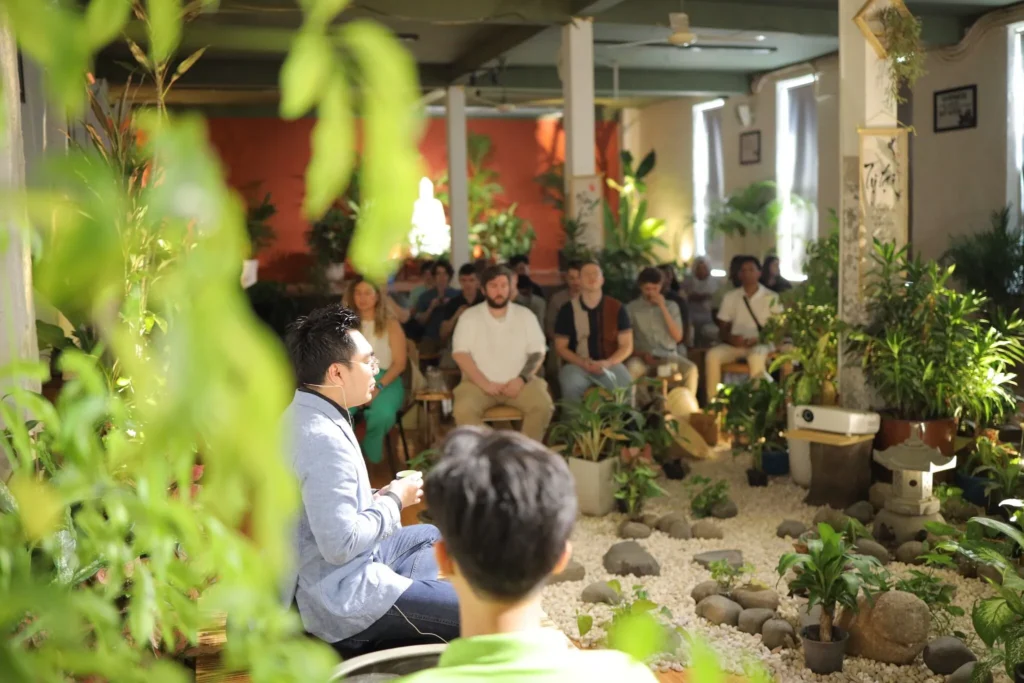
[(797, 173)]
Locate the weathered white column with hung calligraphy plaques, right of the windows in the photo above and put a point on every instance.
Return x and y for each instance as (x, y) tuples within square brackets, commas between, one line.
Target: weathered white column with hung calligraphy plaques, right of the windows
[(864, 105)]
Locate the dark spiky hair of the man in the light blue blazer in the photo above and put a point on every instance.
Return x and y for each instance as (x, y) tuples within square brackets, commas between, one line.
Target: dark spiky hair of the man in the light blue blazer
[(321, 339)]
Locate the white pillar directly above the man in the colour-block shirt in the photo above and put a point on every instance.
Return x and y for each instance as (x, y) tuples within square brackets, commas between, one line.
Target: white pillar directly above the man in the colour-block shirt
[(578, 93)]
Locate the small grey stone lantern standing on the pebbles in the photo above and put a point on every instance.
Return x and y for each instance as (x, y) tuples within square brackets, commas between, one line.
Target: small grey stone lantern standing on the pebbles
[(914, 464)]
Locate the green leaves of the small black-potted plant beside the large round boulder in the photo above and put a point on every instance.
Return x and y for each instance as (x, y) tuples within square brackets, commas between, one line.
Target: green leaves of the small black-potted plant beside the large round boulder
[(824, 575)]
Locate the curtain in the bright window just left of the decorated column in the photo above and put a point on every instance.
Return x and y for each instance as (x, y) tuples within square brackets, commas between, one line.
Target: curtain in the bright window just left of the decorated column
[(800, 223)]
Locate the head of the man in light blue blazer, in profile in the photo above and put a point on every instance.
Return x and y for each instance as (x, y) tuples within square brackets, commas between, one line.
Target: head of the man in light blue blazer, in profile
[(332, 358)]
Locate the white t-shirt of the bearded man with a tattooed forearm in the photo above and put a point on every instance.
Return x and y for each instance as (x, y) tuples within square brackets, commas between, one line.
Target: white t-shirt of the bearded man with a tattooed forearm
[(499, 347)]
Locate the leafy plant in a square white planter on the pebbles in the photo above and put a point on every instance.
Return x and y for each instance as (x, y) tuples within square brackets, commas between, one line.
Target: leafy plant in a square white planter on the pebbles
[(590, 434)]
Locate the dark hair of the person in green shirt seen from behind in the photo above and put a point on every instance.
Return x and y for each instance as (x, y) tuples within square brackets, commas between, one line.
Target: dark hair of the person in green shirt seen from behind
[(505, 506)]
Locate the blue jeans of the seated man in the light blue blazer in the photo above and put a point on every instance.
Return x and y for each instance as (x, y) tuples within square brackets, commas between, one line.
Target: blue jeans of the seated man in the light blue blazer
[(426, 614)]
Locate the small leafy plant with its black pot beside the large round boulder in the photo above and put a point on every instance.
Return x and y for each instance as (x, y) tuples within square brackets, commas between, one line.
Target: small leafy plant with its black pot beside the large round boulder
[(823, 573)]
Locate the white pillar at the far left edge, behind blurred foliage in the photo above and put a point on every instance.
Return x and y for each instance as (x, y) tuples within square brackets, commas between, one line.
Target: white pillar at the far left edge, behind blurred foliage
[(18, 320)]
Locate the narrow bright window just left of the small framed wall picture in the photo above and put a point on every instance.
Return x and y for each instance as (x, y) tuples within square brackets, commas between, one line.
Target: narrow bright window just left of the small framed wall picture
[(708, 179)]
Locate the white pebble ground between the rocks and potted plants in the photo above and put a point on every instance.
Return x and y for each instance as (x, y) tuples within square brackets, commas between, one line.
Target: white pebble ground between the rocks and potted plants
[(753, 532)]
